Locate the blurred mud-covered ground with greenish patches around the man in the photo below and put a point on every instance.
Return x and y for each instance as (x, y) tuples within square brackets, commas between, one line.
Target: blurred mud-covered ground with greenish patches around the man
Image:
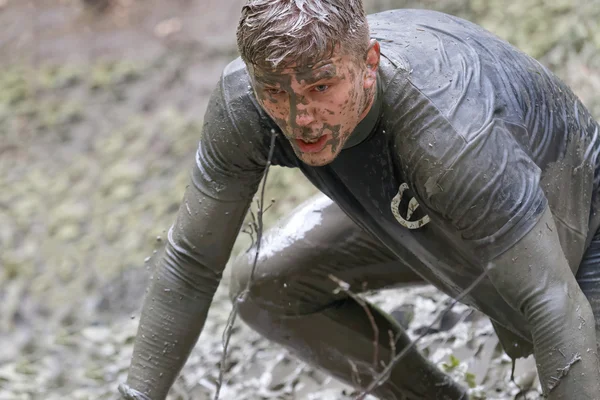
[(99, 120)]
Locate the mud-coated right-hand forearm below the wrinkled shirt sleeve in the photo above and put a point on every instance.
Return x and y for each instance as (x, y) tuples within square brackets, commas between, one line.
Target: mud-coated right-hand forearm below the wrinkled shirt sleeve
[(535, 278)]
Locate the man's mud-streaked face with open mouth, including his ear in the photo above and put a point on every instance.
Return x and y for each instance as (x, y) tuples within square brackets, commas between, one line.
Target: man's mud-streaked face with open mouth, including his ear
[(317, 107)]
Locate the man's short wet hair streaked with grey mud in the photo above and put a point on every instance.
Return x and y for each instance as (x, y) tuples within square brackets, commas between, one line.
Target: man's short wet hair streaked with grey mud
[(275, 34)]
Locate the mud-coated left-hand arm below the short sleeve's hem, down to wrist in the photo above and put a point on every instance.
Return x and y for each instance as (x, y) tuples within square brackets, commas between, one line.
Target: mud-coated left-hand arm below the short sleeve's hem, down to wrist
[(181, 291)]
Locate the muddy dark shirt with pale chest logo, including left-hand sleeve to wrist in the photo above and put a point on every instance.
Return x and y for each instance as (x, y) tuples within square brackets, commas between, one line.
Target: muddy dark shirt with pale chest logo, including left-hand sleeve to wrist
[(483, 138)]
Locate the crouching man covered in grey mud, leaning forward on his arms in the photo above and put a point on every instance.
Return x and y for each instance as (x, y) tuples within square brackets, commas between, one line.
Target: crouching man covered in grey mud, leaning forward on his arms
[(441, 152)]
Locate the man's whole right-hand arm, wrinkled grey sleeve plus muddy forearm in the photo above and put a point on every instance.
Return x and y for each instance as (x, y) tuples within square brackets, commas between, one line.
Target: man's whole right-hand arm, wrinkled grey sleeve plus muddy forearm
[(483, 189)]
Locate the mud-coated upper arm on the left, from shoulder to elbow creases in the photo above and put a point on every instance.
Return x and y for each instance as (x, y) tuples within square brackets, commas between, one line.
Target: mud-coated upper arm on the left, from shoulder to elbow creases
[(229, 163)]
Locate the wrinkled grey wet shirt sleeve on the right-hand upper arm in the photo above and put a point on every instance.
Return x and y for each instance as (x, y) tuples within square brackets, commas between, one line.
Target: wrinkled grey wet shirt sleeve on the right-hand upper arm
[(484, 192)]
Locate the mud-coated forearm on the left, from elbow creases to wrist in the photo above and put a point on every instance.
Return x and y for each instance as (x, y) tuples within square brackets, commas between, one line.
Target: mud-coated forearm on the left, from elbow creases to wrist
[(172, 318)]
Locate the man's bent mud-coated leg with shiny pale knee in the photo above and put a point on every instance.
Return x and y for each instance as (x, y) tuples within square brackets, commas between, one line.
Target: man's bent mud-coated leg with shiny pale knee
[(294, 302)]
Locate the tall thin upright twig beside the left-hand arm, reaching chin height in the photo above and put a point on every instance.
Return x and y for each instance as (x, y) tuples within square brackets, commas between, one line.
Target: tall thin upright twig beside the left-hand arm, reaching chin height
[(257, 224)]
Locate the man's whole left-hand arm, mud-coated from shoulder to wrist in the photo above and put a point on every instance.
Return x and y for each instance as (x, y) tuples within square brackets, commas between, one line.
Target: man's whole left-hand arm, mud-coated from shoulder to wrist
[(228, 168)]
